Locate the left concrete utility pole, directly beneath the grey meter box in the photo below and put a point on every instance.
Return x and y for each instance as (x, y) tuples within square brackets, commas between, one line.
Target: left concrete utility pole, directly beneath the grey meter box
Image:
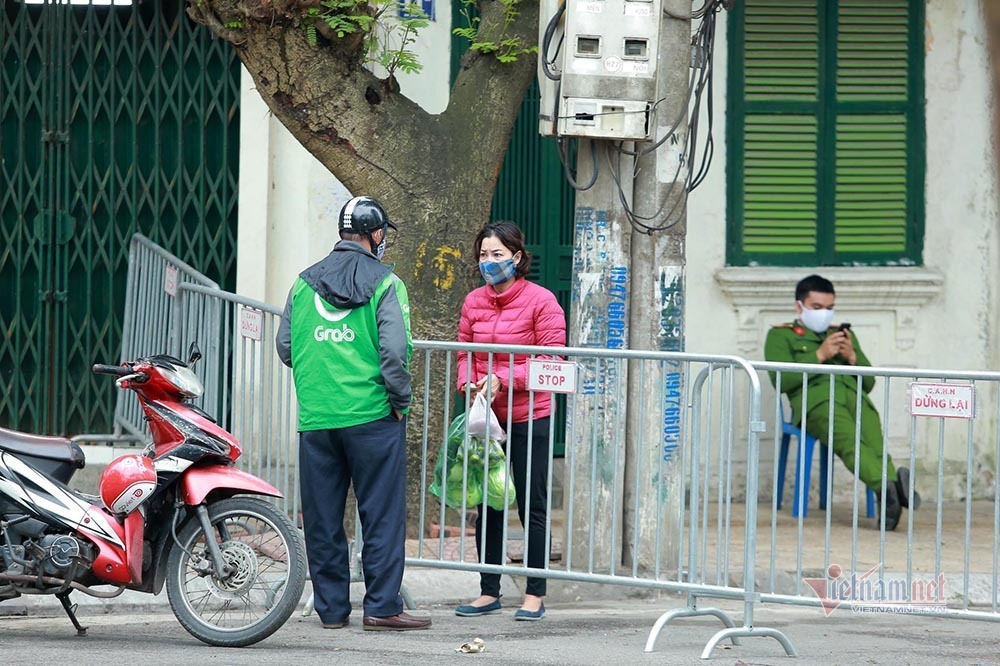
[(598, 318)]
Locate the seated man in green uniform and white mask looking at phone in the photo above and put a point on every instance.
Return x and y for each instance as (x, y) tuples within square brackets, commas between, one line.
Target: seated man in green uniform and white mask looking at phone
[(812, 339)]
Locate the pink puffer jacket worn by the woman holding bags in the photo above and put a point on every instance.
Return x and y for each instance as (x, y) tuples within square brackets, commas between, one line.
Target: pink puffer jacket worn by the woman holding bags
[(525, 314)]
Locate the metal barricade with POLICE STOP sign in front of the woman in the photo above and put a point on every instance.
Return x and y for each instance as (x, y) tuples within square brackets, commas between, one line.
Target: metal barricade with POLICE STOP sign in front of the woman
[(653, 530)]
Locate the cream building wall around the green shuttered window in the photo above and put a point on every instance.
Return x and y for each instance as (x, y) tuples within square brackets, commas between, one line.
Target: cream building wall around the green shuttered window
[(940, 315)]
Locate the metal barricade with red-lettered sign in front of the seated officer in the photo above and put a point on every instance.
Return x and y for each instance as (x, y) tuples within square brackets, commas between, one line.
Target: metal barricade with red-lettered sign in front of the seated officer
[(942, 560)]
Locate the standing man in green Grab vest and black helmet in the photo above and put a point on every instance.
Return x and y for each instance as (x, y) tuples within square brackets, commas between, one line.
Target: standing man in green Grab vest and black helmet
[(345, 333)]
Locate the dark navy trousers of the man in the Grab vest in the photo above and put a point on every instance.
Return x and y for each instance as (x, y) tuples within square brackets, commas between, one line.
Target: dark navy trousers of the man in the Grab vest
[(373, 456)]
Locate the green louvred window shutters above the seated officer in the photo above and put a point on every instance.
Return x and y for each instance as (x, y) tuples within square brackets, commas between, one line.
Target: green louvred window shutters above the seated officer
[(831, 91)]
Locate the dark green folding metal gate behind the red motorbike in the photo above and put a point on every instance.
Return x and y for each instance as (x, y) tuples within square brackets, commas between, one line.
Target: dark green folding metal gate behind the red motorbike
[(112, 120)]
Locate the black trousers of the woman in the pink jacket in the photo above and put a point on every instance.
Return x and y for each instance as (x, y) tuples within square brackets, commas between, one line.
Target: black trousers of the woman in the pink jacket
[(519, 451)]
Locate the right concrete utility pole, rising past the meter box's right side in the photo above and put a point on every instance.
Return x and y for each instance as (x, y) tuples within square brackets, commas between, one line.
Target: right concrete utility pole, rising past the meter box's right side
[(655, 414)]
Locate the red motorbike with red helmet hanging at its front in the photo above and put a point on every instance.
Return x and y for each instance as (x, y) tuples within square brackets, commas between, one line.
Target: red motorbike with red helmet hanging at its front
[(234, 565)]
